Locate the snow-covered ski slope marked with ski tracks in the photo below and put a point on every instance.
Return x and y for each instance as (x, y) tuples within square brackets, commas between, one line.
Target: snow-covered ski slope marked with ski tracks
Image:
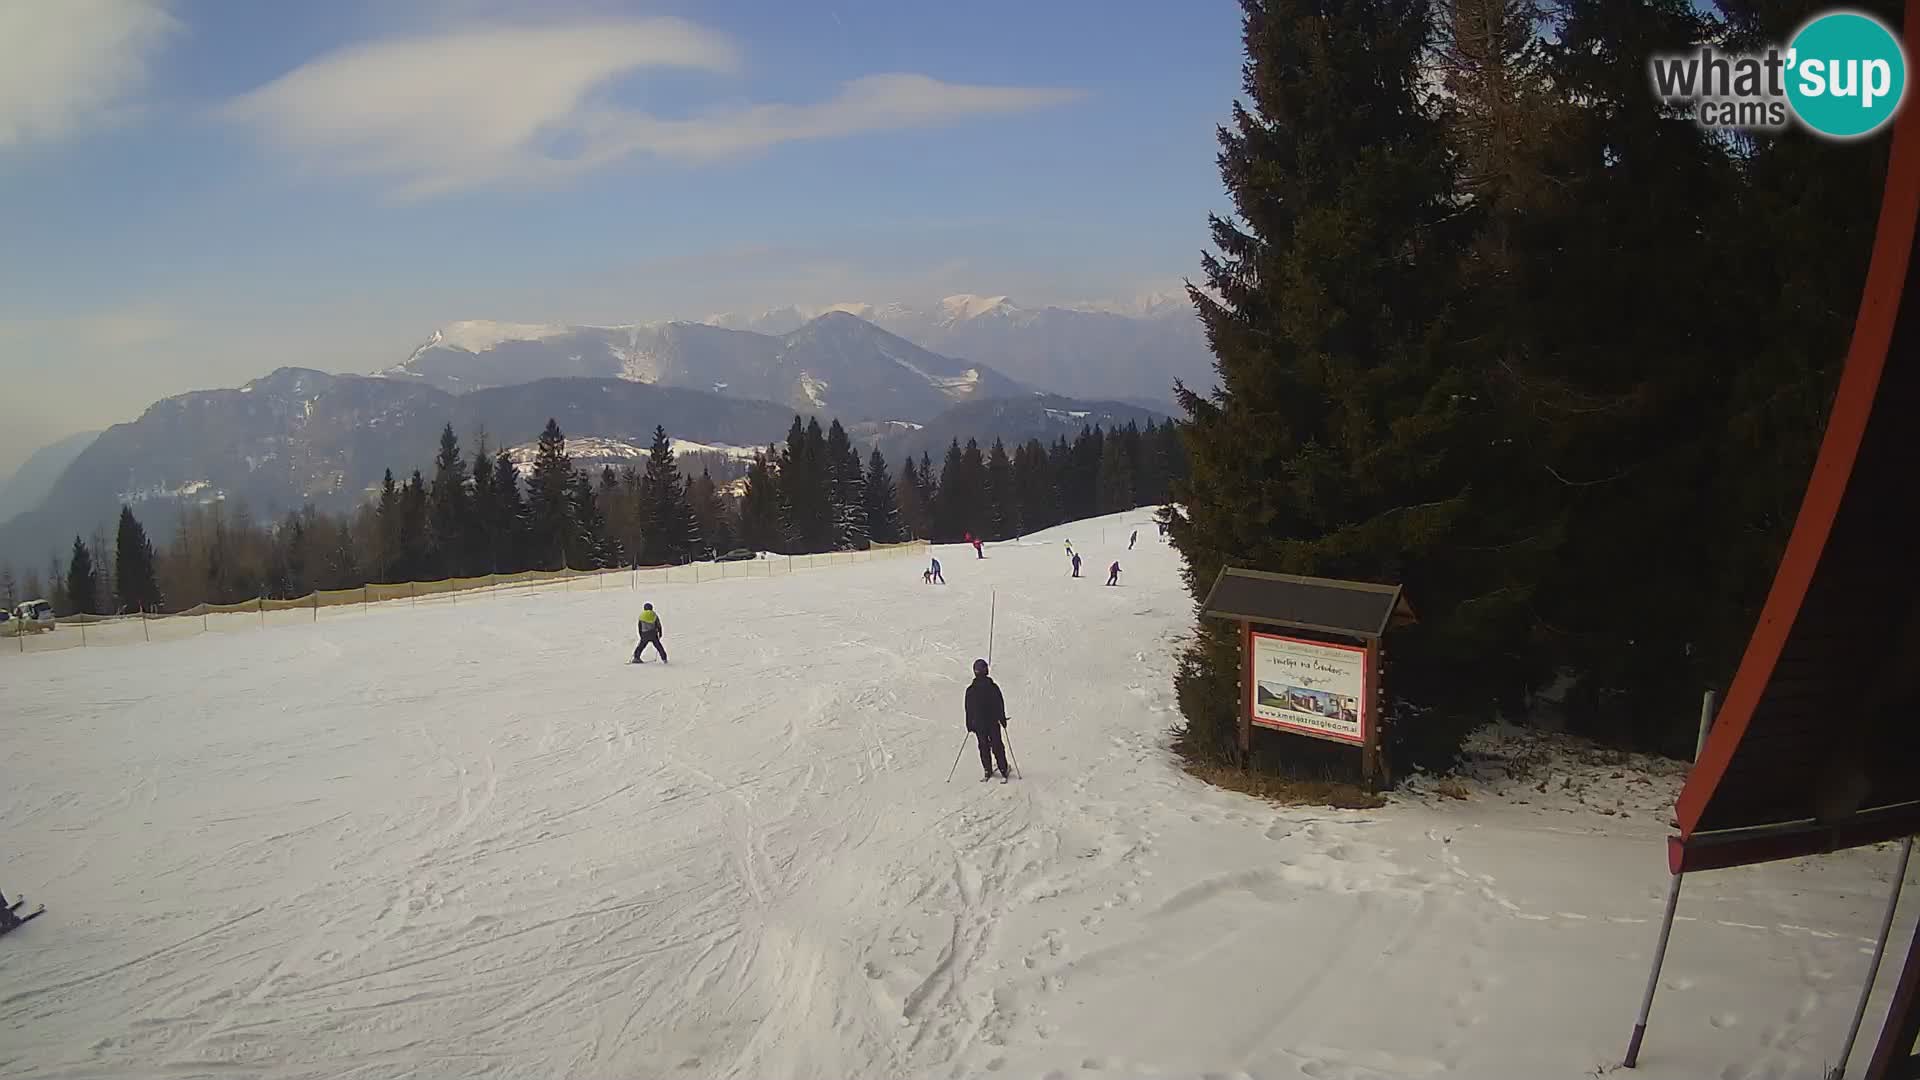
[(460, 843)]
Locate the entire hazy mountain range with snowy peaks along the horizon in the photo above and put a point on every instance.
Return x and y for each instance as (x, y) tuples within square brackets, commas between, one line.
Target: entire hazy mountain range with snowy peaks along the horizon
[(302, 435)]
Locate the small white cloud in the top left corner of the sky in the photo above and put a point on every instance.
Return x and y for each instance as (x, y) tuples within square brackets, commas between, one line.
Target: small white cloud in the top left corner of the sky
[(68, 64)]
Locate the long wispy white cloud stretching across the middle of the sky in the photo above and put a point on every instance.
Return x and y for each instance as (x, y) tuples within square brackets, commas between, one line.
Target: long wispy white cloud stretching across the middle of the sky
[(521, 105)]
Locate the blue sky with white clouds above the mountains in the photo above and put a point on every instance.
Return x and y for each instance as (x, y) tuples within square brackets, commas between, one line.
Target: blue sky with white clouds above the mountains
[(203, 191)]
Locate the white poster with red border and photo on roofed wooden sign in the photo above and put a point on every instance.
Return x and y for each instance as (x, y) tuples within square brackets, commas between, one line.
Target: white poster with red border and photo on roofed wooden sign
[(1310, 689)]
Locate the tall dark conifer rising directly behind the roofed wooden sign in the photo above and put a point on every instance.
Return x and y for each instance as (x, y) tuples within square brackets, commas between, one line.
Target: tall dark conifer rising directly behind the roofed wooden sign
[(1341, 437)]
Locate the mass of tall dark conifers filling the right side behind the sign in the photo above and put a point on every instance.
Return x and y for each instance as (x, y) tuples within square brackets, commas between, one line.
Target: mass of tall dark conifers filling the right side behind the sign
[(1495, 324)]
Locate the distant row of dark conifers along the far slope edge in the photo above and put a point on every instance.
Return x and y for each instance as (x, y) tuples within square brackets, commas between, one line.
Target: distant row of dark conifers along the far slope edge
[(475, 514)]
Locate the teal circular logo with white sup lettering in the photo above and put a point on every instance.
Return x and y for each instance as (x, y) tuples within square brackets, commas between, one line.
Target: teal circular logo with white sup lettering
[(1846, 76)]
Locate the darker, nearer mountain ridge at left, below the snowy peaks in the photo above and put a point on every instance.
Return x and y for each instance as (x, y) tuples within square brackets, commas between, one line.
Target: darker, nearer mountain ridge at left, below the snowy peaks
[(302, 435)]
